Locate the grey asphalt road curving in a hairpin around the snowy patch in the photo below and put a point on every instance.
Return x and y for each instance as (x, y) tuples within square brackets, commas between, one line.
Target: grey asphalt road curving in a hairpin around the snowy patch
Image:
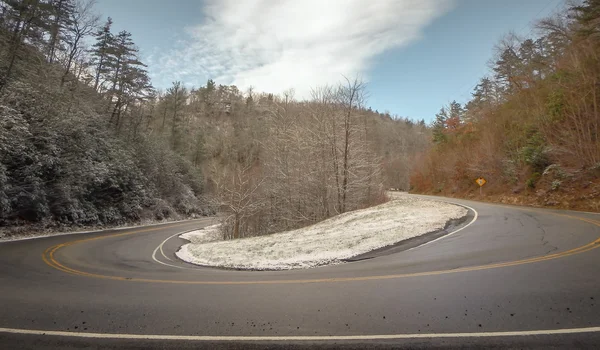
[(514, 277)]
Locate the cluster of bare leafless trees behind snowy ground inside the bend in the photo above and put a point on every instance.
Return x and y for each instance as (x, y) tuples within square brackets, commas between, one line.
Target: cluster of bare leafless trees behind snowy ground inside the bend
[(314, 160)]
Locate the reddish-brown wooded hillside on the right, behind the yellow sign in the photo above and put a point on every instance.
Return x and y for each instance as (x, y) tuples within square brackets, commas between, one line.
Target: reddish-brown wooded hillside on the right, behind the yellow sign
[(531, 128)]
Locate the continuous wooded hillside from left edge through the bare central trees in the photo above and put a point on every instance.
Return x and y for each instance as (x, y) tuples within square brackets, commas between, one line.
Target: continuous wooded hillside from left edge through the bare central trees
[(86, 140)]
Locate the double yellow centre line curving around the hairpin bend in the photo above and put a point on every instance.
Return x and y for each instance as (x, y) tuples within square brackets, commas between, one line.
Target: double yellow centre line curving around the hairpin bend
[(50, 260)]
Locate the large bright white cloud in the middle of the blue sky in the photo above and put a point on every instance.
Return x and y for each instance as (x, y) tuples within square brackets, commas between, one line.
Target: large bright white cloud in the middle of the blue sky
[(274, 45)]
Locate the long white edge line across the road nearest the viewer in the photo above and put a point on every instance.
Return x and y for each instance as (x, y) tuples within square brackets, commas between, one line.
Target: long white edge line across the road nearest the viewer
[(300, 338)]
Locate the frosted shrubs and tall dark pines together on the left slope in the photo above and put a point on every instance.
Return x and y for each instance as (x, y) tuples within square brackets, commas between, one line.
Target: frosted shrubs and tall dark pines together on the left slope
[(74, 144)]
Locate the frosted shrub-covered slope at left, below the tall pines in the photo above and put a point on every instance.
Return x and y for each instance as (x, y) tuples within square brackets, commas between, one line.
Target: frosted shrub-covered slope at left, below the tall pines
[(62, 165)]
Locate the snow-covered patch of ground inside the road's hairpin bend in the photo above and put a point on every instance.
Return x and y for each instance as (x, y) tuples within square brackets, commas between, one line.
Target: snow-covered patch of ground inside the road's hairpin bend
[(327, 242)]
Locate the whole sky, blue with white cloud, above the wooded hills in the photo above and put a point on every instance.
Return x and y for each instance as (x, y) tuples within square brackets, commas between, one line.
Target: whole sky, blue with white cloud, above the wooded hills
[(414, 55)]
